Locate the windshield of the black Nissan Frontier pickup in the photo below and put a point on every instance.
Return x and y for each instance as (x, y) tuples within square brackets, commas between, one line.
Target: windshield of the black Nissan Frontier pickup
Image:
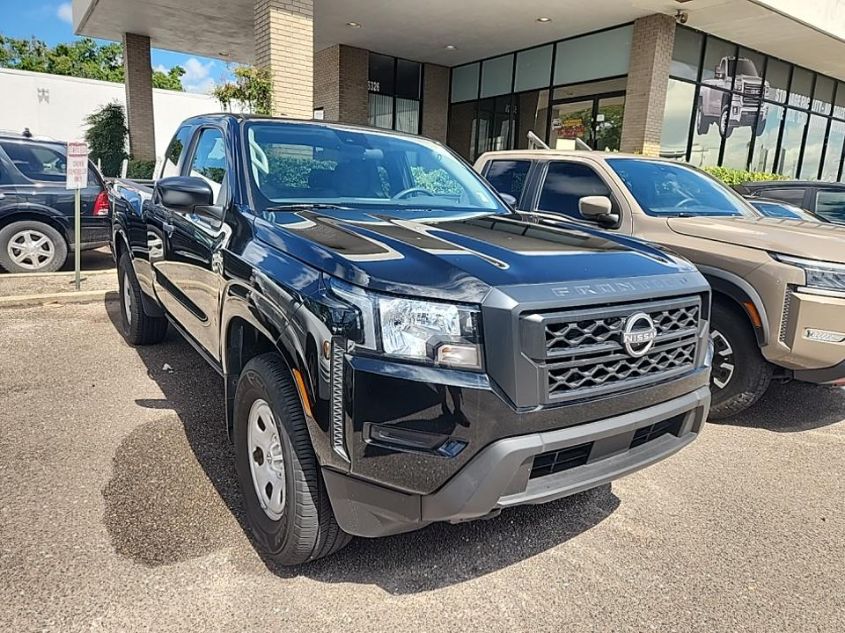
[(313, 164)]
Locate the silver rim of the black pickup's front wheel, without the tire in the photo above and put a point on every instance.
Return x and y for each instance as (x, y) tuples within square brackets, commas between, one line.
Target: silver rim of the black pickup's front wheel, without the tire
[(266, 459)]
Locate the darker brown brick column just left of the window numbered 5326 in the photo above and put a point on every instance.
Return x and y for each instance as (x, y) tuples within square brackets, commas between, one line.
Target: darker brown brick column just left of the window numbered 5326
[(340, 83)]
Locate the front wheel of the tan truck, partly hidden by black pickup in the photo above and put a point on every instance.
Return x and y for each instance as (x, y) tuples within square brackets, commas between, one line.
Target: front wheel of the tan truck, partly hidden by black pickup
[(740, 374)]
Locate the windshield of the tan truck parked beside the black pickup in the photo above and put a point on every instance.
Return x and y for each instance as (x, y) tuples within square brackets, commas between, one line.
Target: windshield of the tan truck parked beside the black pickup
[(671, 189)]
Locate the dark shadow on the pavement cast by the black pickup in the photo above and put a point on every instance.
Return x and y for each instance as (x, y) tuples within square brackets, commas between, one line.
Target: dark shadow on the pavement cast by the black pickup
[(161, 511)]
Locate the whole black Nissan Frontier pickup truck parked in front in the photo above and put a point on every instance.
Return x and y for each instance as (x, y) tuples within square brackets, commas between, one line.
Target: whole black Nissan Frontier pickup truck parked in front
[(398, 346)]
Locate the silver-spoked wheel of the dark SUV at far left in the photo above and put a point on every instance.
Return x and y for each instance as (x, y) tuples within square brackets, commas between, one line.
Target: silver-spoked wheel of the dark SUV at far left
[(31, 247)]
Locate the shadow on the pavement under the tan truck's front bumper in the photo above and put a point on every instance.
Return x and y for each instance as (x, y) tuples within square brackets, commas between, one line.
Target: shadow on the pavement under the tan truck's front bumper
[(793, 407)]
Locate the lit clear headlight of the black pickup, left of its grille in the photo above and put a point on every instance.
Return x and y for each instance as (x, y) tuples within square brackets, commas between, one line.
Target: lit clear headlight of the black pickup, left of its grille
[(426, 331)]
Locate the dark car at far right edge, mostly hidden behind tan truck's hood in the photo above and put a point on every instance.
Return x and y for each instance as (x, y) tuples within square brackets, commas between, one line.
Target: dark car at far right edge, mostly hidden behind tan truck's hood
[(826, 199)]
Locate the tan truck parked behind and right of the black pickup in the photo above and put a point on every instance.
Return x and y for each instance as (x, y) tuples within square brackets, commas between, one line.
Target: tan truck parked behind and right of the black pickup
[(779, 285)]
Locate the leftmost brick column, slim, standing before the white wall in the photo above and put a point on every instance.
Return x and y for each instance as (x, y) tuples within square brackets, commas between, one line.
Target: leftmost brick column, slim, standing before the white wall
[(138, 77)]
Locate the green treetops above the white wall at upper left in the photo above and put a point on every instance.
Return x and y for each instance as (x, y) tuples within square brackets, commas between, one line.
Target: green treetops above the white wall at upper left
[(82, 57)]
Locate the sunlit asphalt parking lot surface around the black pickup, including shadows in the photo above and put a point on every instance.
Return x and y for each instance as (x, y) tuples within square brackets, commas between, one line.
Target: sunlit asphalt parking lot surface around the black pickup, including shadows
[(119, 512)]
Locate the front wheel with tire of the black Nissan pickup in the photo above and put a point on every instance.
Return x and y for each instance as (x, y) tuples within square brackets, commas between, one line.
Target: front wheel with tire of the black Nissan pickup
[(287, 506)]
